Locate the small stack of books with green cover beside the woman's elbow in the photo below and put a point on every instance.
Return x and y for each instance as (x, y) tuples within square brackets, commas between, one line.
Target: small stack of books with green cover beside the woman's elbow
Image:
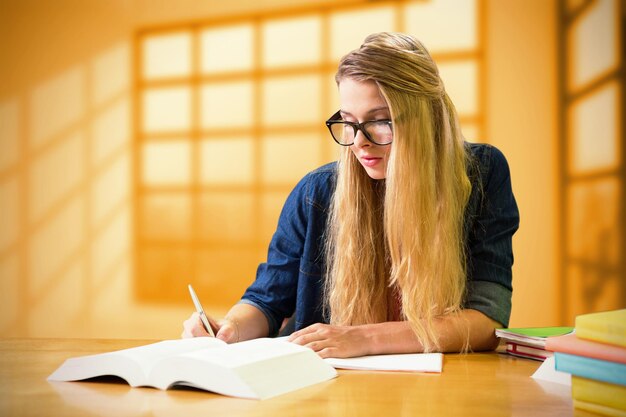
[(530, 342)]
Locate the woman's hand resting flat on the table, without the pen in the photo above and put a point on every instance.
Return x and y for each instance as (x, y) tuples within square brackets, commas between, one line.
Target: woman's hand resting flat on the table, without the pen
[(333, 341)]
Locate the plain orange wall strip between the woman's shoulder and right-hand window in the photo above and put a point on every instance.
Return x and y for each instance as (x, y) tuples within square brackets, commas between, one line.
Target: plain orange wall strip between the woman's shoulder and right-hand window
[(522, 122)]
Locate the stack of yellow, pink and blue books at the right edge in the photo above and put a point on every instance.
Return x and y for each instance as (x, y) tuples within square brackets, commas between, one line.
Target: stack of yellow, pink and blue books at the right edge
[(595, 356)]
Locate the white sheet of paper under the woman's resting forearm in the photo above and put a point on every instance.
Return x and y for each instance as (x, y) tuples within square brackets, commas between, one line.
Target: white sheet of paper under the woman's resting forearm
[(412, 362)]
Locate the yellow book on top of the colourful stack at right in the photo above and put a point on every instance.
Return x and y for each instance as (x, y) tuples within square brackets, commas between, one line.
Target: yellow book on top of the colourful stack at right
[(605, 327)]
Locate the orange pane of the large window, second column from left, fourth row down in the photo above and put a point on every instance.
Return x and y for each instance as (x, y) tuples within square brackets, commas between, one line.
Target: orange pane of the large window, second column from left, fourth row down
[(227, 217)]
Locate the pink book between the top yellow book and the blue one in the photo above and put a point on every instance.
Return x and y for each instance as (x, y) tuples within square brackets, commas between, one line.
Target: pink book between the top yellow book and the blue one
[(569, 343)]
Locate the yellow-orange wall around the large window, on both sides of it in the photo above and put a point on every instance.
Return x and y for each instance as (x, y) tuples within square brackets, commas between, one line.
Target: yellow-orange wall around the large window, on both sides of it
[(66, 159)]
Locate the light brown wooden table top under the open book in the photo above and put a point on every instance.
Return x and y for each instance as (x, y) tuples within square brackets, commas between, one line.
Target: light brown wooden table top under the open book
[(477, 384)]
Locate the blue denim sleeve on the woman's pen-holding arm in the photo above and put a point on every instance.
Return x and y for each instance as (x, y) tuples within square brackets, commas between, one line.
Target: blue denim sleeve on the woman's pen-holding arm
[(273, 291)]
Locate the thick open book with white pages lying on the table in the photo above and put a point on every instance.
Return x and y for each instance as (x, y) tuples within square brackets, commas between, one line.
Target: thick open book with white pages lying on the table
[(259, 368)]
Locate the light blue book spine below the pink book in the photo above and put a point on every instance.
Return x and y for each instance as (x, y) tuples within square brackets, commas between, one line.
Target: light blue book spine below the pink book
[(591, 368)]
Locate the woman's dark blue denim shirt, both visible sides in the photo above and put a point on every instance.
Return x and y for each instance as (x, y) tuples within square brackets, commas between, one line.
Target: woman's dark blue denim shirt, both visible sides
[(291, 281)]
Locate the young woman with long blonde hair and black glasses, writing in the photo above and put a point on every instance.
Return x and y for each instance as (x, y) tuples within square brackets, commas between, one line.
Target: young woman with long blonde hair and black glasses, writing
[(404, 244)]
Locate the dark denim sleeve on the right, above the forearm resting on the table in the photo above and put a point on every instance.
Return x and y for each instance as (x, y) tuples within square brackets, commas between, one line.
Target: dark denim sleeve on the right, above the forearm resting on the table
[(494, 218)]
